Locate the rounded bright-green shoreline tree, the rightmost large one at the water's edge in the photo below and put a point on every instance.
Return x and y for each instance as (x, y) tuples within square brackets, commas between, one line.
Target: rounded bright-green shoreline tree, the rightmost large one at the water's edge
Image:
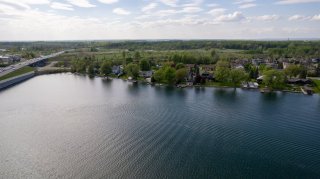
[(274, 79)]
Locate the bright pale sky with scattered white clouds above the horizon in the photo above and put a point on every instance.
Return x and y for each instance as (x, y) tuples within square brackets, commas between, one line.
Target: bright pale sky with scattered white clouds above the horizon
[(24, 20)]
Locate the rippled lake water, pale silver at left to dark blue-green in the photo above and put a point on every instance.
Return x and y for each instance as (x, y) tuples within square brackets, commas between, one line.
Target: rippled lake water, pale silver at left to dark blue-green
[(66, 126)]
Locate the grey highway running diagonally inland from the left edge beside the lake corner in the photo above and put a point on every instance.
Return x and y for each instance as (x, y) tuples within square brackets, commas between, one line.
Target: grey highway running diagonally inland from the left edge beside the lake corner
[(11, 68)]
